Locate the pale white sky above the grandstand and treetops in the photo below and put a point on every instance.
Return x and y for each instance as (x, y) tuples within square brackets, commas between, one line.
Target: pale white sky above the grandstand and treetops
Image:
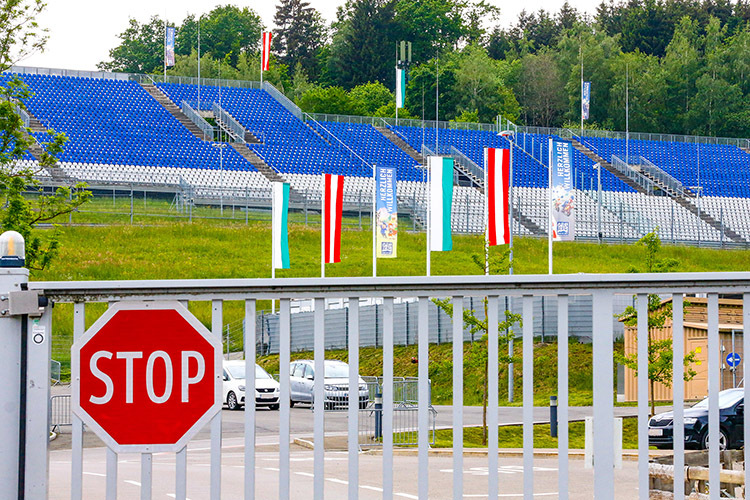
[(81, 32)]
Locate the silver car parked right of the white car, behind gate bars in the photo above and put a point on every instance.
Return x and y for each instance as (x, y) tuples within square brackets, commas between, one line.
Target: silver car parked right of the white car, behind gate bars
[(302, 382)]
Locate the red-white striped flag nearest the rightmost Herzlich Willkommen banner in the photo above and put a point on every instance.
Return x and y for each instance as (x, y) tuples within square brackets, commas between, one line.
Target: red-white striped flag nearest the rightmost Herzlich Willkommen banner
[(497, 182)]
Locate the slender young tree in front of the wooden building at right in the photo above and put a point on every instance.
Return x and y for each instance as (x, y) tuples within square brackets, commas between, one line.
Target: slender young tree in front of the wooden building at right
[(660, 352)]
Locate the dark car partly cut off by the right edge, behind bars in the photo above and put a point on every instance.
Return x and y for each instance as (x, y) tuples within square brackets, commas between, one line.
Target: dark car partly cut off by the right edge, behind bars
[(731, 423)]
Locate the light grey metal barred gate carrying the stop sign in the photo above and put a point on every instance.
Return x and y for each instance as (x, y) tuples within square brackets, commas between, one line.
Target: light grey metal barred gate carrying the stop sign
[(559, 288)]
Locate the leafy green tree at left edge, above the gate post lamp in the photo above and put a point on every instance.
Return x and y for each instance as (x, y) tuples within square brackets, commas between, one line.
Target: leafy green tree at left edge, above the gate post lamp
[(18, 34)]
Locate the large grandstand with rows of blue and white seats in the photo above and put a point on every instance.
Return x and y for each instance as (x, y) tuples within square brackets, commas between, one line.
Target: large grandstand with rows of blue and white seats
[(233, 139)]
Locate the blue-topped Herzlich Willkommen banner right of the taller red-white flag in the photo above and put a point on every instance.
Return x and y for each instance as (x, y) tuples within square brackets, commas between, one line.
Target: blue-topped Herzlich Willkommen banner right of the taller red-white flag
[(562, 194)]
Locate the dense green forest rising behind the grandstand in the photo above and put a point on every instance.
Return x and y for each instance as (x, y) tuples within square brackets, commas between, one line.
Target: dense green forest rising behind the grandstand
[(684, 63)]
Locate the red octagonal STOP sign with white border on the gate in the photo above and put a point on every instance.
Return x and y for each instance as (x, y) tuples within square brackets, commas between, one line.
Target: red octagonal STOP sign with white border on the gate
[(146, 376)]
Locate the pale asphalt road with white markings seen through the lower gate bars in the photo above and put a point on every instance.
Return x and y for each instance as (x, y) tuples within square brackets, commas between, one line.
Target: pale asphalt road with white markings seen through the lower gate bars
[(475, 474)]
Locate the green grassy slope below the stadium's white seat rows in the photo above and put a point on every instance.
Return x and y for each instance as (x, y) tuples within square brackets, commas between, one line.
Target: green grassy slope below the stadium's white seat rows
[(213, 249)]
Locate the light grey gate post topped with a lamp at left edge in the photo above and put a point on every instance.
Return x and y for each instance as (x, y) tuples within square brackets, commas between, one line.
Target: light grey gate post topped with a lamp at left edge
[(24, 368)]
